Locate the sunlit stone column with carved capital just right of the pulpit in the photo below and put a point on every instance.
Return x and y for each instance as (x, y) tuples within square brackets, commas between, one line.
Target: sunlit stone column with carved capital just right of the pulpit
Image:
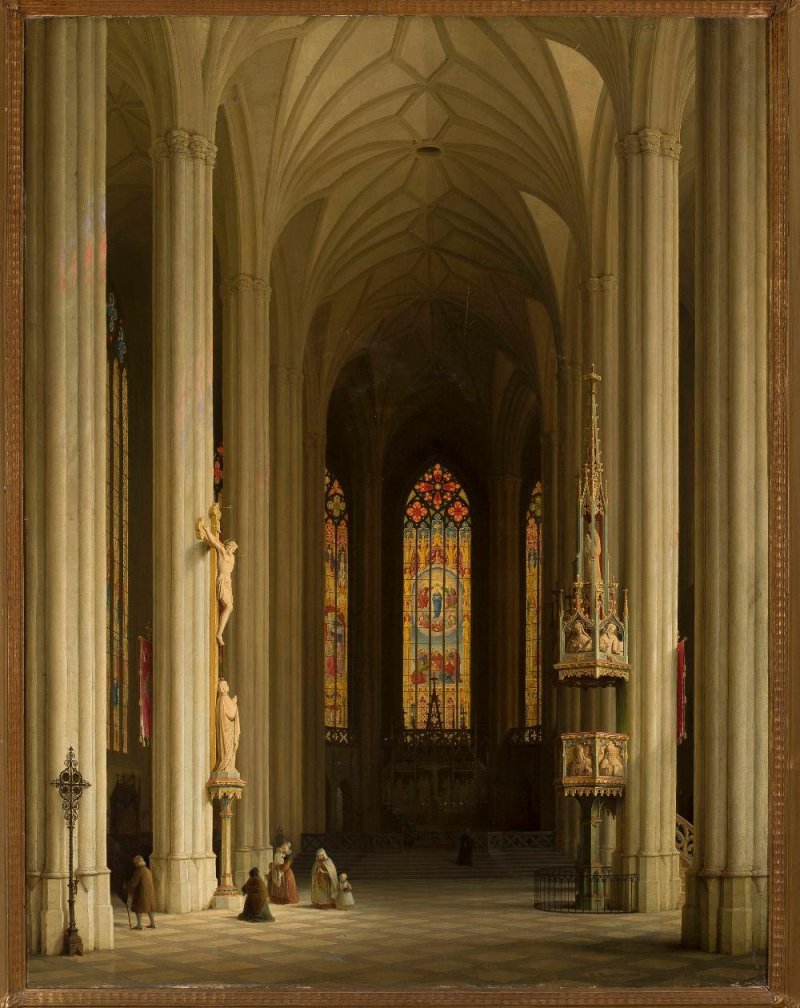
[(649, 391)]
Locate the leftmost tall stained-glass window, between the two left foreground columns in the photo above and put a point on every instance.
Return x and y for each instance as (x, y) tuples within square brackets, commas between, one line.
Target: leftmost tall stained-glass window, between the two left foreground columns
[(117, 556)]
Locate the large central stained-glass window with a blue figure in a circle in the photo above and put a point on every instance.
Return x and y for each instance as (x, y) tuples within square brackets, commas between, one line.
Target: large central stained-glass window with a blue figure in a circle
[(437, 603)]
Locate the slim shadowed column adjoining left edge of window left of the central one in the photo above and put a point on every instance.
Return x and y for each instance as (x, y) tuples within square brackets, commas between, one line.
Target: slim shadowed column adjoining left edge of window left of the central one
[(314, 738)]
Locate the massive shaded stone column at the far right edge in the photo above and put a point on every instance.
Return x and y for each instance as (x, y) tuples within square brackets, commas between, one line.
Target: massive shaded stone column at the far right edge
[(727, 907)]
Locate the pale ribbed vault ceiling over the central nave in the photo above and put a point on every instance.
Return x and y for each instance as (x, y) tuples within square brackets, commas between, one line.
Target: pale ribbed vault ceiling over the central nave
[(362, 104)]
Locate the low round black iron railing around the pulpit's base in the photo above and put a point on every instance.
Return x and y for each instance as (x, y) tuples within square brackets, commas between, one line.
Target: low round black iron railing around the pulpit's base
[(575, 891)]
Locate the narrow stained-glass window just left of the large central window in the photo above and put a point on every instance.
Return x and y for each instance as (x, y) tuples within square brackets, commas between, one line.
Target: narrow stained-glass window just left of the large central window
[(336, 604)]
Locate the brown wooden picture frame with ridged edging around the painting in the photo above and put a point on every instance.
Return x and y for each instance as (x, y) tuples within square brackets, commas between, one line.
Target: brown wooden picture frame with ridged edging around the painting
[(784, 419)]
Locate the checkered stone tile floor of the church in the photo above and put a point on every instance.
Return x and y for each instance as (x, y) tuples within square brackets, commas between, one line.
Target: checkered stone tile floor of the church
[(457, 933)]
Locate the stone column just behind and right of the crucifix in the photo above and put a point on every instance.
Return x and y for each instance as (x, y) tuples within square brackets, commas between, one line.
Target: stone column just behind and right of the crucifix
[(246, 520)]
